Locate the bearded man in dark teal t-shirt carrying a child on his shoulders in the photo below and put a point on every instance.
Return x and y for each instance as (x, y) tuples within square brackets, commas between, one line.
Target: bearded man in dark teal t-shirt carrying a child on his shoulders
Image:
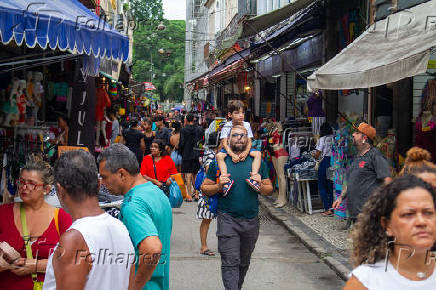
[(237, 220)]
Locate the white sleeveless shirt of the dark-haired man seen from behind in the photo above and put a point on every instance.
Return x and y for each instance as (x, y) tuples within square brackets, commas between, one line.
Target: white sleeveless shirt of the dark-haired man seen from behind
[(111, 249)]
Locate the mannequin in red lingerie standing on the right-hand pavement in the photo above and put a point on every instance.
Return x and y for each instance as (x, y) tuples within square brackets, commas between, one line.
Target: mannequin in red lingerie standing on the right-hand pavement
[(279, 160)]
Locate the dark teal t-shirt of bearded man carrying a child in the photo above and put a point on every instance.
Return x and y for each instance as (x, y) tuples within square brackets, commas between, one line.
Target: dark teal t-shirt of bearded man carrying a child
[(242, 201)]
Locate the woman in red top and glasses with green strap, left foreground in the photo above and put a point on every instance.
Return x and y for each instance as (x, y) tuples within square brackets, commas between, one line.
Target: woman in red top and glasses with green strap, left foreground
[(29, 230)]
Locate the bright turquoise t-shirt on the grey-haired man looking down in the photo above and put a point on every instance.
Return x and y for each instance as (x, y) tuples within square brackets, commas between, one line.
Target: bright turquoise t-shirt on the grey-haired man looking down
[(146, 212)]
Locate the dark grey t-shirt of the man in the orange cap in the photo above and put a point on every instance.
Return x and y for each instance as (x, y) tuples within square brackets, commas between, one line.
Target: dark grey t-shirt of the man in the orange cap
[(366, 173)]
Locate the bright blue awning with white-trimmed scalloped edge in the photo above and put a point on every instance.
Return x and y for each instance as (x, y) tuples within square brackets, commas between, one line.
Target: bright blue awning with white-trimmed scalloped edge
[(63, 24)]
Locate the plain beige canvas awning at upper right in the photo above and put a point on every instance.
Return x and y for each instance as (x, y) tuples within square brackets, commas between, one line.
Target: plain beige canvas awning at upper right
[(390, 50)]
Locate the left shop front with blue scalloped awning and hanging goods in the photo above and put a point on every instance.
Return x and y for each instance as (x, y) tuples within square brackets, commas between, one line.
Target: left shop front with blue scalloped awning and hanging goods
[(50, 69)]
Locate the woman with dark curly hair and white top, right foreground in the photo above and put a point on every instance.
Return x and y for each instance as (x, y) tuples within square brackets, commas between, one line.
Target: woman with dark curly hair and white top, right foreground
[(393, 238)]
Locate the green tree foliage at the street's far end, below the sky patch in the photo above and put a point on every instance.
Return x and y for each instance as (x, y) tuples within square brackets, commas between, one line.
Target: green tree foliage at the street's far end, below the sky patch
[(167, 72)]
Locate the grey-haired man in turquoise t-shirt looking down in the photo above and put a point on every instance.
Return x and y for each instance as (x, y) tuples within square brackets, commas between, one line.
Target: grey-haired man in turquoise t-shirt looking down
[(146, 212)]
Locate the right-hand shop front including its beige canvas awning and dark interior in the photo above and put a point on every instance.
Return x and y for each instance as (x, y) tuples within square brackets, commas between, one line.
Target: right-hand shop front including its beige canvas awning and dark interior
[(400, 81)]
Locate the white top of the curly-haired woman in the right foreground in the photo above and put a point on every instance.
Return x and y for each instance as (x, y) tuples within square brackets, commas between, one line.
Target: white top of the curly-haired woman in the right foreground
[(374, 277)]
